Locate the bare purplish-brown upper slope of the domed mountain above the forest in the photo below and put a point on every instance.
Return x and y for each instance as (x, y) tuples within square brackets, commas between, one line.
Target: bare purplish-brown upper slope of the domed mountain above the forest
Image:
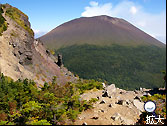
[(99, 30)]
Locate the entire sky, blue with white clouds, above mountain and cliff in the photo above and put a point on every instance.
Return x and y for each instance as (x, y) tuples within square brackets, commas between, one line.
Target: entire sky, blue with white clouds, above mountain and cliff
[(44, 15)]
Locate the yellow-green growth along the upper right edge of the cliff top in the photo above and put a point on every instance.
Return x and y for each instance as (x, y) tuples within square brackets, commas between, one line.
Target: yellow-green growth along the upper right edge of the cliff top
[(16, 15)]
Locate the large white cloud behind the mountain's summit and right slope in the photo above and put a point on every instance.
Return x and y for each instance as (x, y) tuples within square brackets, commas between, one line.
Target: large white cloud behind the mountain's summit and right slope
[(153, 24)]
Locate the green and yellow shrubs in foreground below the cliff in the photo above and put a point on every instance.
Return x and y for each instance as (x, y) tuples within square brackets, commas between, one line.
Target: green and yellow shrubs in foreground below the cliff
[(22, 103)]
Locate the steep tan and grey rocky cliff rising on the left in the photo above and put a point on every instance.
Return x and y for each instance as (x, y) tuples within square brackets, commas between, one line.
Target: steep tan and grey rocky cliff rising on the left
[(21, 56)]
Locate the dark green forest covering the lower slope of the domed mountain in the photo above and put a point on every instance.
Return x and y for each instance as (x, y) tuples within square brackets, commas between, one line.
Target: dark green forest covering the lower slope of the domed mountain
[(126, 66)]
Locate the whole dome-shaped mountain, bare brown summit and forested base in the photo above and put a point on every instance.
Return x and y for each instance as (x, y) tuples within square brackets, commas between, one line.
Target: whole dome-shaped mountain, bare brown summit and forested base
[(110, 49)]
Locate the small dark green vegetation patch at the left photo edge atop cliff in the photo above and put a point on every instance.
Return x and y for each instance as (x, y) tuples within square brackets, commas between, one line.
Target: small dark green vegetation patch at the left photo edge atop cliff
[(3, 24)]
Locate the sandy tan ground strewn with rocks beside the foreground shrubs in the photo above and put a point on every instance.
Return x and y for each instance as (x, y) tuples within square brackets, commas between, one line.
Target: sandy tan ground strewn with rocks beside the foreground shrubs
[(114, 107)]
